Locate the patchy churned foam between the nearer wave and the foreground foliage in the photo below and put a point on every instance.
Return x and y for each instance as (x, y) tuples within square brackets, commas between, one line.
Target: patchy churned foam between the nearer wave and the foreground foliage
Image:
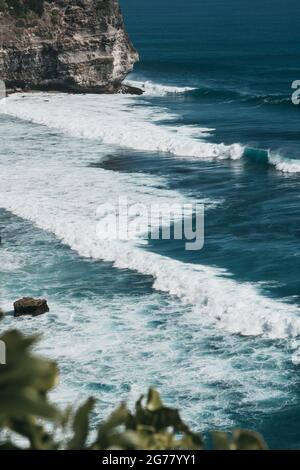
[(112, 369)]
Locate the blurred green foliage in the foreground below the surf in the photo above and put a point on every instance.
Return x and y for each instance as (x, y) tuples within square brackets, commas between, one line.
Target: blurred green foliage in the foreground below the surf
[(25, 412)]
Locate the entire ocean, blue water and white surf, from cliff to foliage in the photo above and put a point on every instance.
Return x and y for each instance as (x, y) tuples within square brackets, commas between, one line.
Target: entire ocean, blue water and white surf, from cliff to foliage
[(216, 331)]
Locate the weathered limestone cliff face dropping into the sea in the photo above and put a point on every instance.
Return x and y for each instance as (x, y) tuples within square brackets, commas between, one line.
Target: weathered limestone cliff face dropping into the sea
[(74, 45)]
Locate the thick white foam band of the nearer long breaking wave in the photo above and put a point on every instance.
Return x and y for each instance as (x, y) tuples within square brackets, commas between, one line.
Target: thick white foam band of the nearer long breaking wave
[(63, 198)]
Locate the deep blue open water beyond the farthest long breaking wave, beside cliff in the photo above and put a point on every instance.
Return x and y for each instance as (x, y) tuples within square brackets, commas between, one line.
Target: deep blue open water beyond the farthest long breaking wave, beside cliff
[(241, 56)]
